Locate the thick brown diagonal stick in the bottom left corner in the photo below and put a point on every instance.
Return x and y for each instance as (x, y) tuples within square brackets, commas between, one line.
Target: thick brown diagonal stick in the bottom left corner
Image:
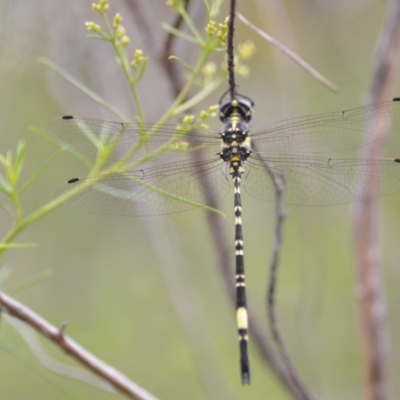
[(119, 381)]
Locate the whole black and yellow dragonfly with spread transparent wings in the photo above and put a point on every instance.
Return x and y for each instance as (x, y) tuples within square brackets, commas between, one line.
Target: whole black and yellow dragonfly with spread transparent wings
[(169, 167)]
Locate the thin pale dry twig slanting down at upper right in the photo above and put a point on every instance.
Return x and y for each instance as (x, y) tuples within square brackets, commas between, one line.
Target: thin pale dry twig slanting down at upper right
[(293, 56)]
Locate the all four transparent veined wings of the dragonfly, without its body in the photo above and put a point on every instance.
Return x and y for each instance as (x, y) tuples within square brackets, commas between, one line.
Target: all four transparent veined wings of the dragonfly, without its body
[(297, 148)]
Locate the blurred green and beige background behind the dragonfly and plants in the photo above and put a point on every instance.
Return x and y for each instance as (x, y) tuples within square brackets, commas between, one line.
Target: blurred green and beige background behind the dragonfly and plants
[(146, 295)]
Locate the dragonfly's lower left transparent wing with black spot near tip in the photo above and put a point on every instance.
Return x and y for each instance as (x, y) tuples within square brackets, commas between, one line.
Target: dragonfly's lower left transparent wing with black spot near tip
[(152, 191)]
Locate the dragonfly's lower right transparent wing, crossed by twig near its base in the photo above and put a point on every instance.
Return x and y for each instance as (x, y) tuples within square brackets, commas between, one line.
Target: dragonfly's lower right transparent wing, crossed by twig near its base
[(311, 181)]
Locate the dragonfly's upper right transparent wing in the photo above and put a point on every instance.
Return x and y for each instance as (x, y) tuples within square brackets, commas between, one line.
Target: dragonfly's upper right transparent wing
[(323, 133)]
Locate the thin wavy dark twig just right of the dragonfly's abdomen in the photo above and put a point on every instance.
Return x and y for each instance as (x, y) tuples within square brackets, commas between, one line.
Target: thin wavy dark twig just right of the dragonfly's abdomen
[(279, 187)]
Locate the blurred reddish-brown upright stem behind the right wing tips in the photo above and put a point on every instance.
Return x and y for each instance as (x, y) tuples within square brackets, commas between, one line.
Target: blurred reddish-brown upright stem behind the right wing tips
[(372, 302)]
